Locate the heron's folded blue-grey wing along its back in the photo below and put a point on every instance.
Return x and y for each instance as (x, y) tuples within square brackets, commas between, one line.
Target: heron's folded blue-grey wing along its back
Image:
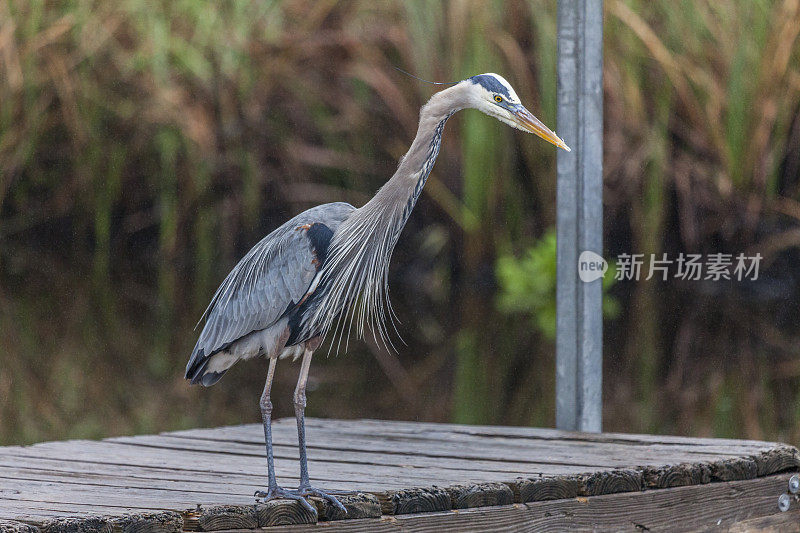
[(274, 275)]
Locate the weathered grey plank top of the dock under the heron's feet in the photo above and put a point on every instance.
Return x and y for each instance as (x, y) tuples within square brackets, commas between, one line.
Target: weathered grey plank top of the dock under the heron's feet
[(400, 468)]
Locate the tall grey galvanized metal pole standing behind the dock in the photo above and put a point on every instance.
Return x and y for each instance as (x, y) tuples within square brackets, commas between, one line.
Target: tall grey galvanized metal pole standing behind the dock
[(579, 217)]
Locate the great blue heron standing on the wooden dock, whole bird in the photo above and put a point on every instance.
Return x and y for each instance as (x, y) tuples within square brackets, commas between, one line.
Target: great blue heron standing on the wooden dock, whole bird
[(302, 281)]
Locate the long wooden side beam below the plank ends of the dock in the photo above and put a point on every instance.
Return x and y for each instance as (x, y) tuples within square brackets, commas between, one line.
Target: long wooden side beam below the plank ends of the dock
[(717, 506)]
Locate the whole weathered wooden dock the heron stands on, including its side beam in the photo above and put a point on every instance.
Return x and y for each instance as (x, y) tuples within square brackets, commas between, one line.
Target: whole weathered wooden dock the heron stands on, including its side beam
[(403, 475)]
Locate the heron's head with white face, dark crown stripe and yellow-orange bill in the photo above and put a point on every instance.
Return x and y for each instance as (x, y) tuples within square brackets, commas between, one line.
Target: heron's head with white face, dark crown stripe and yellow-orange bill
[(493, 95)]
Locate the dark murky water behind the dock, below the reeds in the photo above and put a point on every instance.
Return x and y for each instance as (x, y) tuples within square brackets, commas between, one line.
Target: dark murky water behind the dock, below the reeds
[(89, 357)]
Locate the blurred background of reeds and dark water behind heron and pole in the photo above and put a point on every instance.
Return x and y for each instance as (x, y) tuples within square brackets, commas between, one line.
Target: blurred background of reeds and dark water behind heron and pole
[(145, 146)]
